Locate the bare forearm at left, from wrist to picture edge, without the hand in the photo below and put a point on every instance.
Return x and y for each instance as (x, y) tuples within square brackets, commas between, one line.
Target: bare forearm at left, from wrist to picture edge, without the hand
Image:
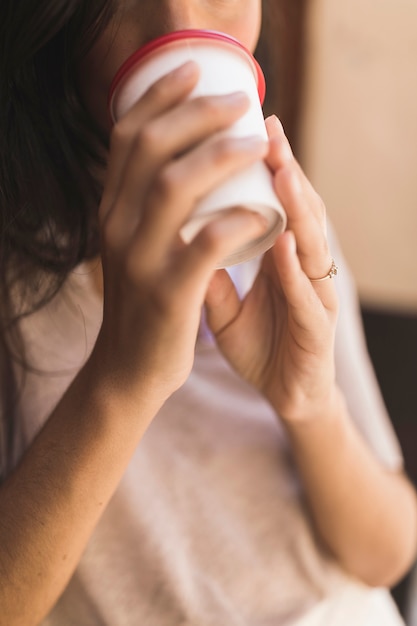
[(51, 503)]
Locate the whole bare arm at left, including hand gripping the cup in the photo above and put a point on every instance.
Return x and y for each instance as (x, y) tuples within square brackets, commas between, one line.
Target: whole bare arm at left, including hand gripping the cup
[(153, 294)]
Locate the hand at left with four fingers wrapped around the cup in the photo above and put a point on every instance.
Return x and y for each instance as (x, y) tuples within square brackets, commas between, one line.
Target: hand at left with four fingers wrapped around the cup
[(154, 285)]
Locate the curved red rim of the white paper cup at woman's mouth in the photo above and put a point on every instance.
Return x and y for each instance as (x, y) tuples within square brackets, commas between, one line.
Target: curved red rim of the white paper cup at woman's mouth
[(179, 35)]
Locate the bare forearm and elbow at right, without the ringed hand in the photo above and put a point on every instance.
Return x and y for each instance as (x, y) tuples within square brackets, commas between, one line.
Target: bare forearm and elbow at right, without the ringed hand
[(366, 514)]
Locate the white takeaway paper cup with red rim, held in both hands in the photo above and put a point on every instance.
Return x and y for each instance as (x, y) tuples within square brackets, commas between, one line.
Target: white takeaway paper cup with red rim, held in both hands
[(225, 66)]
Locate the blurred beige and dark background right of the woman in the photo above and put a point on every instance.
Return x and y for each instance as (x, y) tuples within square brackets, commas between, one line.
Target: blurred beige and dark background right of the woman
[(351, 114)]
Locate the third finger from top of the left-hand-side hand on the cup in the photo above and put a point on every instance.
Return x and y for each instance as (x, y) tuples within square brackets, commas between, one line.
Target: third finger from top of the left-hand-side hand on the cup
[(181, 185)]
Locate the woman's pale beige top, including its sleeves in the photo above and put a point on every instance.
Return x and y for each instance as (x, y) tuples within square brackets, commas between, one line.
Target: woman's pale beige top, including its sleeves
[(208, 525)]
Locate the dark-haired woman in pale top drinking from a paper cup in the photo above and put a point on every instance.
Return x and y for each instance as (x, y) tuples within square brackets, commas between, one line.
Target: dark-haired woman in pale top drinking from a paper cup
[(165, 470)]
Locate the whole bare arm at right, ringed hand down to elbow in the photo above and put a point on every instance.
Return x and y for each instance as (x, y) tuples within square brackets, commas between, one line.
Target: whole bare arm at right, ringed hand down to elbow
[(281, 338)]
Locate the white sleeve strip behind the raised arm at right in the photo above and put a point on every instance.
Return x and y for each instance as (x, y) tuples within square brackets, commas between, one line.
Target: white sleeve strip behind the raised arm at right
[(355, 373)]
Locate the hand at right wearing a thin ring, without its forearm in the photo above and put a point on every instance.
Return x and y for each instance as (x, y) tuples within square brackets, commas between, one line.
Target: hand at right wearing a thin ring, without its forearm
[(280, 337)]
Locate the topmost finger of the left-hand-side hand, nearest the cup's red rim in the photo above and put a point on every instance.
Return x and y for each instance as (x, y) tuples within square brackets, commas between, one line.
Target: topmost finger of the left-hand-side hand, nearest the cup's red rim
[(162, 96)]
